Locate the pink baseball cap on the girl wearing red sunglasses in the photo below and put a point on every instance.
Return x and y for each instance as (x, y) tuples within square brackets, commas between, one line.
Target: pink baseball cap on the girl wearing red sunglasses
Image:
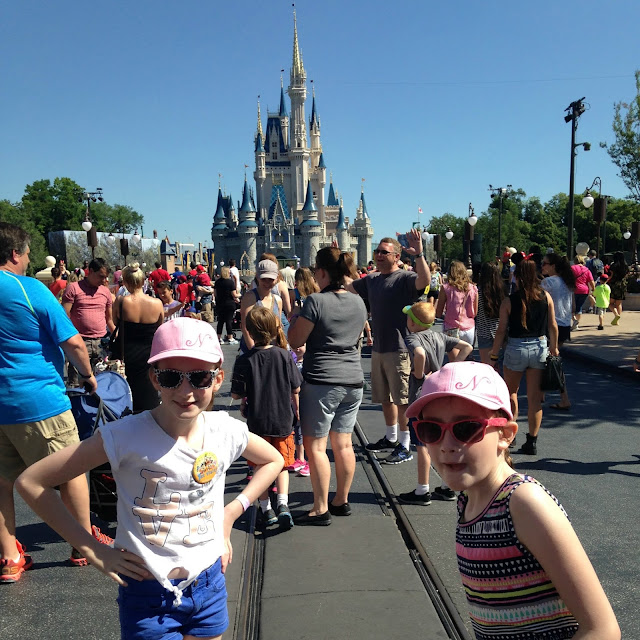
[(473, 381)]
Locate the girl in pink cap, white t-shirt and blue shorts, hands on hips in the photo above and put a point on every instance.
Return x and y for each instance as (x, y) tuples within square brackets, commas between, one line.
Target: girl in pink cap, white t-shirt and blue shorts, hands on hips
[(172, 544)]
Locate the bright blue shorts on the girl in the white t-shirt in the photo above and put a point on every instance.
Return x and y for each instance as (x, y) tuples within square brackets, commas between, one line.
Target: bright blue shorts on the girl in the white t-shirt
[(147, 611)]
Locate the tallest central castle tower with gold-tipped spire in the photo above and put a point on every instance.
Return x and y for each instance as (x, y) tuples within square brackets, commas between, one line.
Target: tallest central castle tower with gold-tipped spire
[(298, 149)]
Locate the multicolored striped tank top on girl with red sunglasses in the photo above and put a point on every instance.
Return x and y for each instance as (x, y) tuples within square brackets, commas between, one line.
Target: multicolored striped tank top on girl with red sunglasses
[(508, 592)]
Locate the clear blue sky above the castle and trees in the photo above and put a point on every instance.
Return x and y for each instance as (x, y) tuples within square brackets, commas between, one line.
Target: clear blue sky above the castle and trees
[(428, 101)]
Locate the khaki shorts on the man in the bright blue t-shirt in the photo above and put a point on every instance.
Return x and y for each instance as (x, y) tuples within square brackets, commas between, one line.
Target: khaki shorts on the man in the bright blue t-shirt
[(23, 444)]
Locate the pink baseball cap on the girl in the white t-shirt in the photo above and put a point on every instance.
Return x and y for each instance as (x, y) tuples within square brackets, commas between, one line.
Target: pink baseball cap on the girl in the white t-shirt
[(186, 338)]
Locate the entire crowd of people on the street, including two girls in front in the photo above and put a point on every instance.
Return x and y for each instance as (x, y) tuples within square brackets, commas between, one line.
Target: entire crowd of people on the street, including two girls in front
[(299, 377)]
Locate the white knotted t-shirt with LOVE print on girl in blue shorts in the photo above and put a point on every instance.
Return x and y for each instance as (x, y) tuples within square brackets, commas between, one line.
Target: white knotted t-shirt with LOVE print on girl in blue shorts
[(164, 515)]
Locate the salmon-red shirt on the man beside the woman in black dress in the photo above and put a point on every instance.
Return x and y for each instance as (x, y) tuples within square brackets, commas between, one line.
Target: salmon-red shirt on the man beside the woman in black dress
[(89, 308)]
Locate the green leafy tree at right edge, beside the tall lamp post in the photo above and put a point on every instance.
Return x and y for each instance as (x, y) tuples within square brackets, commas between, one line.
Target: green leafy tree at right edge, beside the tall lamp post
[(625, 151)]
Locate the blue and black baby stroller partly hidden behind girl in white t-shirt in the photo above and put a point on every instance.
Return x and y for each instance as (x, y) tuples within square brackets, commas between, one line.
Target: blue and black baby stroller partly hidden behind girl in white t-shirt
[(111, 402)]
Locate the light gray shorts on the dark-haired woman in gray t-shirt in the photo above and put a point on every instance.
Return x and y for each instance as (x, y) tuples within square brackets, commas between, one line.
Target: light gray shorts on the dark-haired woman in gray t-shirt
[(325, 408)]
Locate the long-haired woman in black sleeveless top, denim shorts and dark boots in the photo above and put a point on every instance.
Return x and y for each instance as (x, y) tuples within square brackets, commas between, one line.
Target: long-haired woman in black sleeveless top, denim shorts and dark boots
[(527, 316)]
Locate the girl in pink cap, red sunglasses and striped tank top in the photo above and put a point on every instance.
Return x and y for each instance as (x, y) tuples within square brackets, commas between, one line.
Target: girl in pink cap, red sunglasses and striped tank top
[(523, 568)]
